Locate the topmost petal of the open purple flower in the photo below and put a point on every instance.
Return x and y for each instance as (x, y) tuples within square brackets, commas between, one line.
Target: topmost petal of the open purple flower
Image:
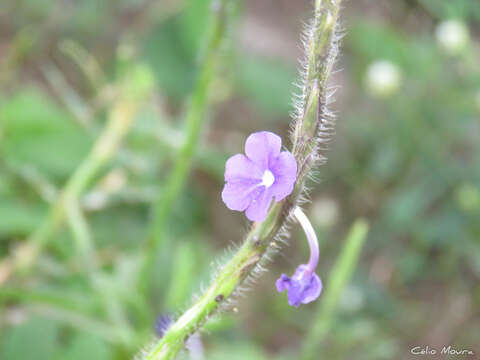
[(262, 147)]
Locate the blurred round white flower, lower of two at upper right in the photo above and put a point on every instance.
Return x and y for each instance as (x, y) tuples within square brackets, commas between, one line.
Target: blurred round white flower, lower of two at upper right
[(382, 78)]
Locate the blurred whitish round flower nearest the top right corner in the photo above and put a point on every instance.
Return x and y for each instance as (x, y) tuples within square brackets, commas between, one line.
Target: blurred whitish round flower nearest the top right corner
[(452, 36)]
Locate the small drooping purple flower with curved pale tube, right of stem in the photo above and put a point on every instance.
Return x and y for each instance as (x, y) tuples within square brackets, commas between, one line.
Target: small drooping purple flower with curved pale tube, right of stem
[(304, 286)]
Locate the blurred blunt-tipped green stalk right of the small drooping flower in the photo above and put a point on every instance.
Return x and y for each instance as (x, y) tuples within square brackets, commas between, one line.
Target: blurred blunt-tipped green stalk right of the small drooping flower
[(339, 278)]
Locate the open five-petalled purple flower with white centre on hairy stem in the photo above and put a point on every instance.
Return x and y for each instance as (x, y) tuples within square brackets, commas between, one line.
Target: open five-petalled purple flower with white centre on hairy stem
[(264, 173)]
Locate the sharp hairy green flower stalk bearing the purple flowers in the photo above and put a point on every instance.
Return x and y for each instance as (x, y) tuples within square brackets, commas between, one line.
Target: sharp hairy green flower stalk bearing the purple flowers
[(312, 119)]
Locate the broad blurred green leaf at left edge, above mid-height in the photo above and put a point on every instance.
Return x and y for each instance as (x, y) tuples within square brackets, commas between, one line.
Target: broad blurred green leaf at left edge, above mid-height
[(36, 132)]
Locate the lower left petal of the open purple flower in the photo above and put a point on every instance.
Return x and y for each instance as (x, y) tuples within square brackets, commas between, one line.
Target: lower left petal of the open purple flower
[(239, 194)]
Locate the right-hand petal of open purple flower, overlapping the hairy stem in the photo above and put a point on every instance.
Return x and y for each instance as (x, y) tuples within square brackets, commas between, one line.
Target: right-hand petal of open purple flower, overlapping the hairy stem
[(284, 169)]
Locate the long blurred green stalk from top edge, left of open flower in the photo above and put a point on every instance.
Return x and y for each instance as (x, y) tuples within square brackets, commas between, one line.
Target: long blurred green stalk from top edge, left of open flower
[(194, 120)]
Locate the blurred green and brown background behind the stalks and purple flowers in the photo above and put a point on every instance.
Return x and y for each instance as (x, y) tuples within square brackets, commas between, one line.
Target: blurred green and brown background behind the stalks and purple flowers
[(405, 156)]
